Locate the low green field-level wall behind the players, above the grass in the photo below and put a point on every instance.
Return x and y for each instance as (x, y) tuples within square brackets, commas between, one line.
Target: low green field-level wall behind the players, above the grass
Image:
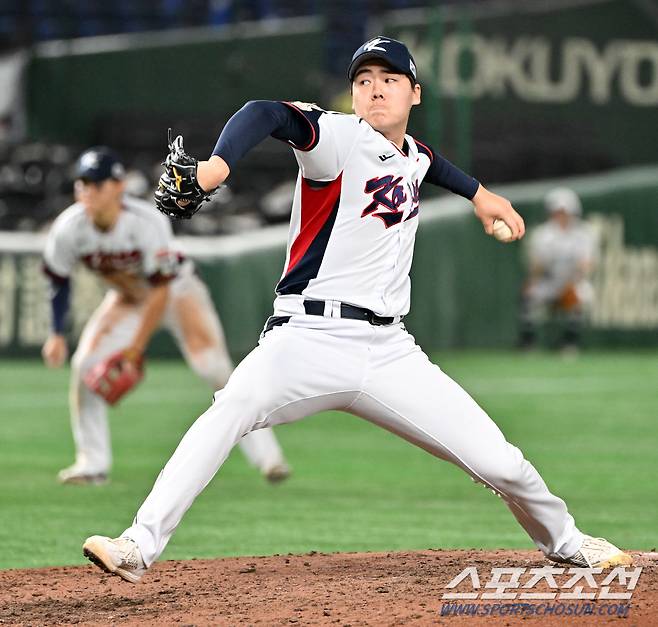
[(465, 285)]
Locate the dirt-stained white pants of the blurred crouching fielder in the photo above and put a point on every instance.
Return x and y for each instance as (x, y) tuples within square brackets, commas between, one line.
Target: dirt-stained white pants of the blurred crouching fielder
[(191, 317)]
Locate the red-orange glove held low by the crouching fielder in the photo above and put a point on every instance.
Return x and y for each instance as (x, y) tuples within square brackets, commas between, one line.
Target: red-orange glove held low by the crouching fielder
[(115, 376)]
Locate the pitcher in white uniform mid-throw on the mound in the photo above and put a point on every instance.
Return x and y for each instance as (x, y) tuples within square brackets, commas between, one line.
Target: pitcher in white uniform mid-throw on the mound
[(336, 341)]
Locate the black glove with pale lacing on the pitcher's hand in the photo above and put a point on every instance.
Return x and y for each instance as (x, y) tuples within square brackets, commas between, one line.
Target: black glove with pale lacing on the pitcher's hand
[(179, 195)]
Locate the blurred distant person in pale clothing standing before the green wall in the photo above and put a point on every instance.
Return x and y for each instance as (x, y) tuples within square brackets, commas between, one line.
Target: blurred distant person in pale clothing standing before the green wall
[(561, 257)]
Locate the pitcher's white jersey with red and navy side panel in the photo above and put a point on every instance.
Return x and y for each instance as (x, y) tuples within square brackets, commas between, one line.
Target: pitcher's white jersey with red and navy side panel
[(354, 217)]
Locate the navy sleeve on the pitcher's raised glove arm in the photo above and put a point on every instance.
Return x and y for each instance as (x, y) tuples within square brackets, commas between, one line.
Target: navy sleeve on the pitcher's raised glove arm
[(257, 120)]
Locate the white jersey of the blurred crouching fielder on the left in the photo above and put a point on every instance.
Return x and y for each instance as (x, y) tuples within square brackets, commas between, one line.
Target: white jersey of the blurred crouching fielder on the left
[(139, 246)]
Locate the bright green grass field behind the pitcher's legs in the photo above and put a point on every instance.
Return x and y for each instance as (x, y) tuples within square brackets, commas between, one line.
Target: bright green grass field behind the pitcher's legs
[(588, 425)]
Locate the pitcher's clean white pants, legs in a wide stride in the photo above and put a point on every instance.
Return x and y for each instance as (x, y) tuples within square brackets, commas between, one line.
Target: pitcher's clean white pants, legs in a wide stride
[(313, 364)]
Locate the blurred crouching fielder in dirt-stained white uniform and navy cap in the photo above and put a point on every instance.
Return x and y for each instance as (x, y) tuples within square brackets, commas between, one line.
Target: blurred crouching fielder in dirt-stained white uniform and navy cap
[(129, 244)]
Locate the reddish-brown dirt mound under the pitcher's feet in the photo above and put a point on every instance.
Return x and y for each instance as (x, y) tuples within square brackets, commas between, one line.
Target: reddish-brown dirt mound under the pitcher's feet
[(319, 589)]
